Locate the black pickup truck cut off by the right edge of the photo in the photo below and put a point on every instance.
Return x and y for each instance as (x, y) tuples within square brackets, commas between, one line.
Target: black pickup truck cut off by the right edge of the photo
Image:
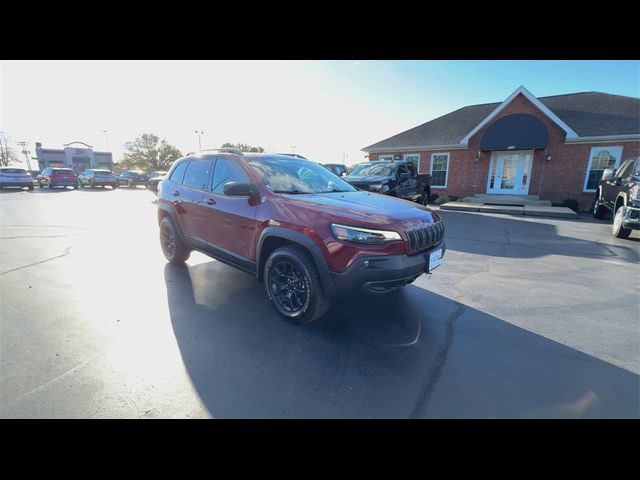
[(618, 193)]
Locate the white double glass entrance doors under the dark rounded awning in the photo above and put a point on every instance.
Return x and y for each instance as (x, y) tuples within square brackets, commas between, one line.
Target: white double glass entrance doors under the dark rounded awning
[(509, 173)]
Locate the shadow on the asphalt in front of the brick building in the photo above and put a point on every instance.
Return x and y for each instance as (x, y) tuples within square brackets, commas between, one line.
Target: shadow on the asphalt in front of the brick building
[(507, 236)]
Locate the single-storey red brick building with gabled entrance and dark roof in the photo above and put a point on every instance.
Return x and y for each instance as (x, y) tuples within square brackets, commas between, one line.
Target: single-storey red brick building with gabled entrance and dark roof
[(554, 147)]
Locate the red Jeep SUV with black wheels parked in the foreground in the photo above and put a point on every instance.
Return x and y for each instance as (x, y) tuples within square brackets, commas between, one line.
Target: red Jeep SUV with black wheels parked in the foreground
[(306, 233)]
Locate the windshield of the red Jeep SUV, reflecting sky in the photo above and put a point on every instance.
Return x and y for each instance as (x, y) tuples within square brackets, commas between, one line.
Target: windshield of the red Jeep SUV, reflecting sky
[(294, 175)]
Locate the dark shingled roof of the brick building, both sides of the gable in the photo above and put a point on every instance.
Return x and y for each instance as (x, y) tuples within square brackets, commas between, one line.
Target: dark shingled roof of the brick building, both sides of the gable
[(587, 113)]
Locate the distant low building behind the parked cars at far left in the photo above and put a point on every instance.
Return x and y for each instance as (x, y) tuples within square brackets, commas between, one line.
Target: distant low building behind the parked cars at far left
[(76, 158)]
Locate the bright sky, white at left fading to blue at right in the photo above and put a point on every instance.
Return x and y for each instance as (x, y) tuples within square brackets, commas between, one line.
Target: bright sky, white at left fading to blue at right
[(327, 110)]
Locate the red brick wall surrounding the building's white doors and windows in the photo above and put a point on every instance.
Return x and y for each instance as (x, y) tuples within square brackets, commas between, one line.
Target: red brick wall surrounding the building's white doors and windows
[(562, 177)]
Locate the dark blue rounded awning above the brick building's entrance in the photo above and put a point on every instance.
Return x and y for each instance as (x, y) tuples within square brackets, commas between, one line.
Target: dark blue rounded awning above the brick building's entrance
[(519, 131)]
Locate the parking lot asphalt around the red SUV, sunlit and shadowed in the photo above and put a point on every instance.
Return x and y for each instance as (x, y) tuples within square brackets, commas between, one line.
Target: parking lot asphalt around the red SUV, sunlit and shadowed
[(526, 318)]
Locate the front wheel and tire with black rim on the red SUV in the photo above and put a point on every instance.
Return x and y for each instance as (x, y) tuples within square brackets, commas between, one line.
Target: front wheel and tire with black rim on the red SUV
[(293, 286)]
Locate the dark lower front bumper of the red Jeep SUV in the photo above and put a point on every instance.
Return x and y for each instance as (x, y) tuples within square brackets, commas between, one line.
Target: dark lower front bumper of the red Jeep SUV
[(376, 275)]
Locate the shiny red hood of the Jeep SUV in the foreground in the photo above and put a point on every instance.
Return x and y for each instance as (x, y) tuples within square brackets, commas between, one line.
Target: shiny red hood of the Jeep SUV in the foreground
[(364, 209)]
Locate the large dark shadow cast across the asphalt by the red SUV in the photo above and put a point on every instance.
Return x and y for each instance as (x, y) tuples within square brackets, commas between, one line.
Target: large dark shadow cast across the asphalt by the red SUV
[(409, 354)]
